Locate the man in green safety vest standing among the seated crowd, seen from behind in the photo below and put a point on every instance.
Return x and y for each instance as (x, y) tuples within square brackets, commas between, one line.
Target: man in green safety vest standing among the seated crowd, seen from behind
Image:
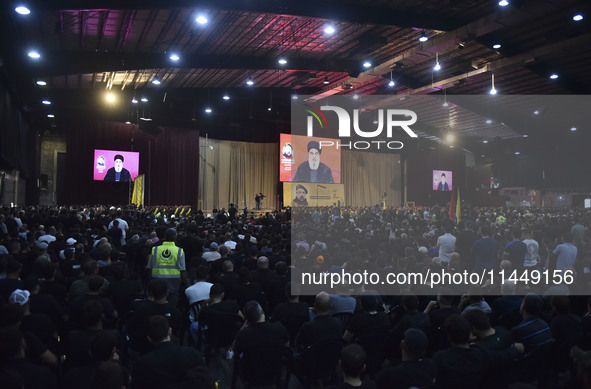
[(167, 262)]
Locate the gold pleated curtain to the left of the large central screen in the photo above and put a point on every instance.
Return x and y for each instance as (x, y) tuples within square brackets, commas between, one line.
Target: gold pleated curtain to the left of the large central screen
[(234, 172)]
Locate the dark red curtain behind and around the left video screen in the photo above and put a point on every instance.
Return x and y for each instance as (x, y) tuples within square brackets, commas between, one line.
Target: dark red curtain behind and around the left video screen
[(169, 158)]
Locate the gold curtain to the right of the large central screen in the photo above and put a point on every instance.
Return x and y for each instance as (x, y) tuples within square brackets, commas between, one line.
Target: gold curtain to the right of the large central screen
[(367, 176)]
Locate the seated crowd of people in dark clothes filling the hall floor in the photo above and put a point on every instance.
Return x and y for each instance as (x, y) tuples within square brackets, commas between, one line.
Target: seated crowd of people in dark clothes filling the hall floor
[(123, 297)]
